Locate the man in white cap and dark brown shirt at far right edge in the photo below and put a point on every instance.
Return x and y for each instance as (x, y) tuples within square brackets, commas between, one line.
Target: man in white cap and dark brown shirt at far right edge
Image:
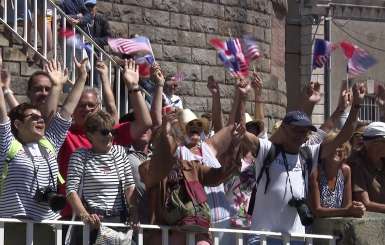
[(369, 169)]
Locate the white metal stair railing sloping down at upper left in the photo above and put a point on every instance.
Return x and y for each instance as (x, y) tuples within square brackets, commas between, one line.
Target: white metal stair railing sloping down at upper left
[(59, 50)]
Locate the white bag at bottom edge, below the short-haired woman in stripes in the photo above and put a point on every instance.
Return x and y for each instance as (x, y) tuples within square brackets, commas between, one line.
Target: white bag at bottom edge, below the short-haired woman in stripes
[(108, 236)]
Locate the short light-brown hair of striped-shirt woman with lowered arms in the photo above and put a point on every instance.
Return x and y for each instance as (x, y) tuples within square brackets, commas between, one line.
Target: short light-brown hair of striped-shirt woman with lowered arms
[(98, 120)]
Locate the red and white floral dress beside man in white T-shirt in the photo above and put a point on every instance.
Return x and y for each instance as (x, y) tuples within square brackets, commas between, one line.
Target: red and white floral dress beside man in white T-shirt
[(238, 192)]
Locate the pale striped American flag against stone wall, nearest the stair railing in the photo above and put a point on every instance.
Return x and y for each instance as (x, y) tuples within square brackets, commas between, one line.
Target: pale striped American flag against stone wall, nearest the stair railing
[(129, 46)]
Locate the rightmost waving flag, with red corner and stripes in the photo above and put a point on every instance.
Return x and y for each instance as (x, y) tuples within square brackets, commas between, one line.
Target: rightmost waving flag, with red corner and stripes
[(359, 61)]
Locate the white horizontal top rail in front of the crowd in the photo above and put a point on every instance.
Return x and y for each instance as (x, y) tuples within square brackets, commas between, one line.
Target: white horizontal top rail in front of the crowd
[(160, 227)]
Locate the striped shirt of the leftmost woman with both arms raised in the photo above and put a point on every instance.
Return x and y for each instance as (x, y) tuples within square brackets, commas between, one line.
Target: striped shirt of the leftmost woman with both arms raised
[(20, 185)]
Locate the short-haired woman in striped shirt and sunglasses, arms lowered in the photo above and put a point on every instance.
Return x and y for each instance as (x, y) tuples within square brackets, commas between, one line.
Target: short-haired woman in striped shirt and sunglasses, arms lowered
[(103, 175)]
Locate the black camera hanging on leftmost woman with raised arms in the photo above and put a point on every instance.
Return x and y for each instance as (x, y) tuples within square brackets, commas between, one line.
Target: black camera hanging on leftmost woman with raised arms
[(47, 194)]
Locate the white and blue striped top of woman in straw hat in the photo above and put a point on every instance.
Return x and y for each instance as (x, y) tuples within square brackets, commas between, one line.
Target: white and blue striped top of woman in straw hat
[(219, 206)]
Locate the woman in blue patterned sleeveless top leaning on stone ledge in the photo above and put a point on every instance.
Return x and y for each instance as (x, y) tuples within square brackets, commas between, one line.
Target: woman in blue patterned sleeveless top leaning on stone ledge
[(330, 185)]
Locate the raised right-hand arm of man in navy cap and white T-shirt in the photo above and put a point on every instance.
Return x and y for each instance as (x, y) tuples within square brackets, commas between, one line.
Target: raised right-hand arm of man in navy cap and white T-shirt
[(348, 128)]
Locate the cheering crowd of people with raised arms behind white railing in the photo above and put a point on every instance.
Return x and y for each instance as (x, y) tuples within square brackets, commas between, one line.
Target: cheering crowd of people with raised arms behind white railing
[(164, 165)]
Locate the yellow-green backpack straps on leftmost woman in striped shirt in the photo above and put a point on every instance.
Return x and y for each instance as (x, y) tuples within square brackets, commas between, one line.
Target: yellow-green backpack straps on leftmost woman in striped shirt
[(15, 148)]
